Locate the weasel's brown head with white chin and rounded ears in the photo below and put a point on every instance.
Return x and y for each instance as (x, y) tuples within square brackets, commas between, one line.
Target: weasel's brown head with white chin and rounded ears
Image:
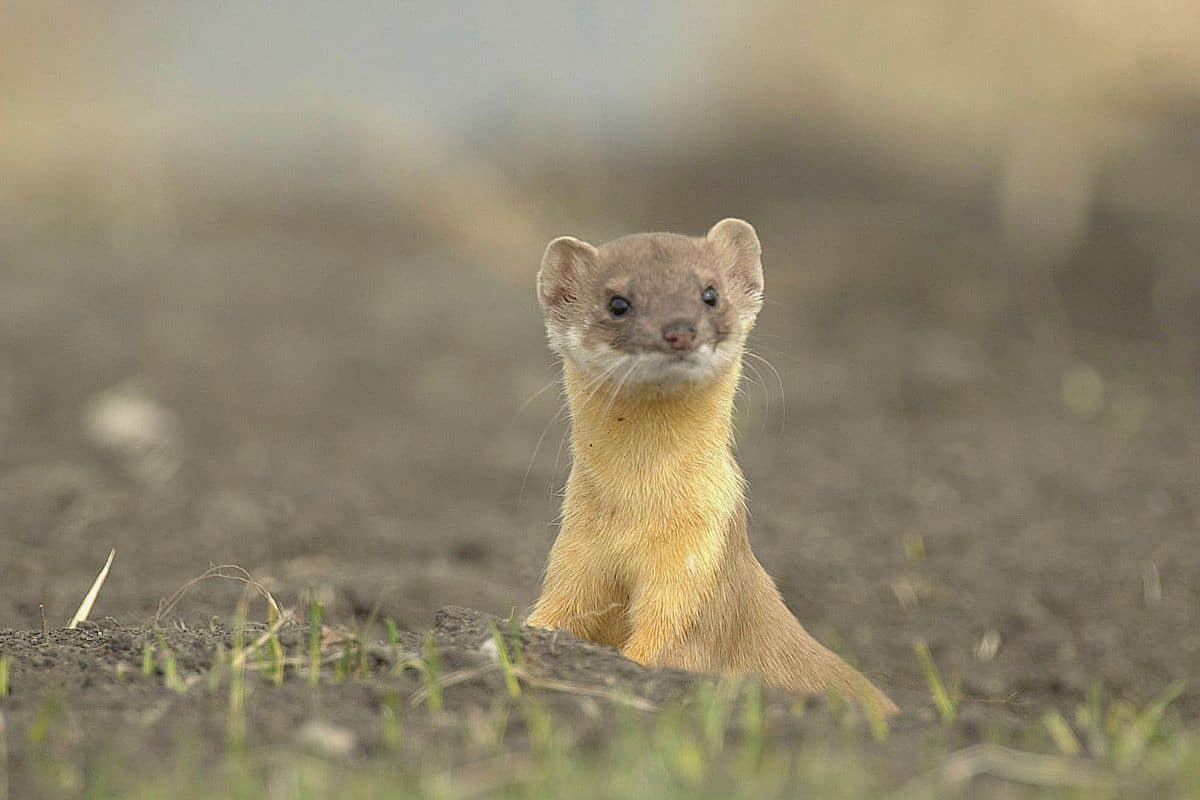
[(659, 311)]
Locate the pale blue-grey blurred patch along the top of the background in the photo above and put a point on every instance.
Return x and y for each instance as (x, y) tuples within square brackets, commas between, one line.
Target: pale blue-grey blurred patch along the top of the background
[(607, 65)]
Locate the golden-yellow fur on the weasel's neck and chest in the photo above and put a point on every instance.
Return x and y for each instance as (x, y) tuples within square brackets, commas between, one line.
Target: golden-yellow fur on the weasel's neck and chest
[(655, 486)]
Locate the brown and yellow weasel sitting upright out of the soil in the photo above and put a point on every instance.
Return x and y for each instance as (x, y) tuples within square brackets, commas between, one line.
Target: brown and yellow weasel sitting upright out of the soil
[(653, 556)]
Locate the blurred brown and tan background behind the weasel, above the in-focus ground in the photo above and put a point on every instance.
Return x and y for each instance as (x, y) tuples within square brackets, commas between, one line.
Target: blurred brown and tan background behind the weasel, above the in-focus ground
[(267, 290)]
